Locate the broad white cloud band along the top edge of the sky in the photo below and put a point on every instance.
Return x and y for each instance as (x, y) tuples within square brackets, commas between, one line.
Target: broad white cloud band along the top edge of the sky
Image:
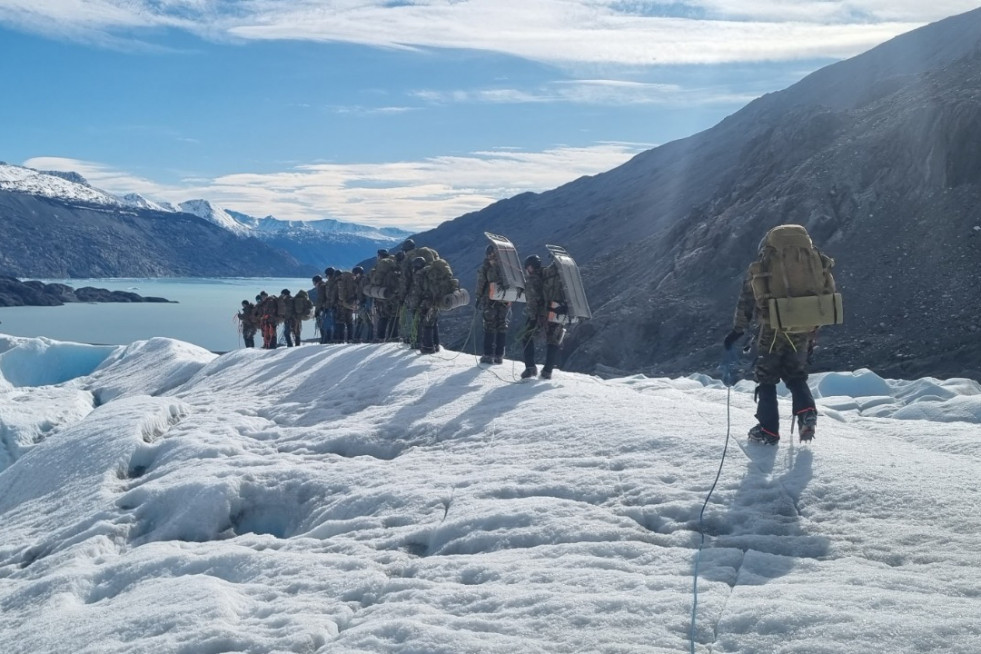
[(625, 32)]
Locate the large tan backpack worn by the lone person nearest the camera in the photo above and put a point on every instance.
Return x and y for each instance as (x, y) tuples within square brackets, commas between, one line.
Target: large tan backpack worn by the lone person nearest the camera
[(792, 282)]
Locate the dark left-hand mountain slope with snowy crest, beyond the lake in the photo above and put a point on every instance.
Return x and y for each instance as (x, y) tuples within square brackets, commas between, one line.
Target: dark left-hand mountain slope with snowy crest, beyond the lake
[(56, 225)]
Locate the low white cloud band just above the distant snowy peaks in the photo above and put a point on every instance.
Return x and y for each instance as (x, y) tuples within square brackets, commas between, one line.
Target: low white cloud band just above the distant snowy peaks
[(412, 194)]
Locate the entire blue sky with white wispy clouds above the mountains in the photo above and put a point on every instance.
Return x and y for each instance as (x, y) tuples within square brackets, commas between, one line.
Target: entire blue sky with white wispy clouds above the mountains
[(395, 112)]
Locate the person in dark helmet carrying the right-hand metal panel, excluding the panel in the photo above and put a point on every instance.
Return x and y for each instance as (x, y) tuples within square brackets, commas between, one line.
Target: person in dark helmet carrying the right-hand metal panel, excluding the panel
[(543, 287)]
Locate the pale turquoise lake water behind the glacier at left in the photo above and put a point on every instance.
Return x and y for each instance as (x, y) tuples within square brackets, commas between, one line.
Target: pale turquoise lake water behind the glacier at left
[(204, 313)]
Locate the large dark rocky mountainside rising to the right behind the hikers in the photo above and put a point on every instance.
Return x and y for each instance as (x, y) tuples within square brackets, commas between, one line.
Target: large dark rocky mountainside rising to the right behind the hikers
[(878, 156)]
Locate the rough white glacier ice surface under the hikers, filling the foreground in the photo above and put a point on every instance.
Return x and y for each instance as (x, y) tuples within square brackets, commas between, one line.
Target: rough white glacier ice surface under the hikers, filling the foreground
[(364, 498)]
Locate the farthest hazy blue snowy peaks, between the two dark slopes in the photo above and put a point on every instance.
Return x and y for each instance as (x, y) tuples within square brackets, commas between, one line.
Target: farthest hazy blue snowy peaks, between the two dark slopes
[(322, 243)]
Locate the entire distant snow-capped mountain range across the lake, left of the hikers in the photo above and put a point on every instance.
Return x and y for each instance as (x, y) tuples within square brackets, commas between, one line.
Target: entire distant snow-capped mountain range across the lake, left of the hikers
[(57, 225)]
